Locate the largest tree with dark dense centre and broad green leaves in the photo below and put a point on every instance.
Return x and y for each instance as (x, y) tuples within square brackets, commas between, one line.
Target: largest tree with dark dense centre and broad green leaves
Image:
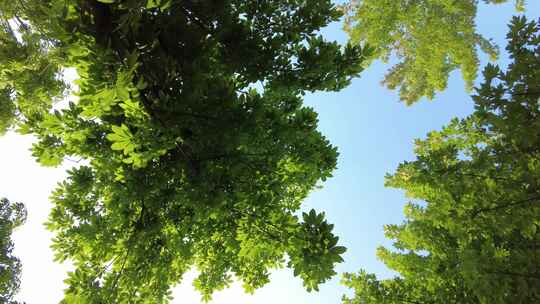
[(199, 149)]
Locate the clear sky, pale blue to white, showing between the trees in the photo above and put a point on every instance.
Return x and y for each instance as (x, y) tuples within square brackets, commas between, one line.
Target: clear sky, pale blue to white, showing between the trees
[(374, 133)]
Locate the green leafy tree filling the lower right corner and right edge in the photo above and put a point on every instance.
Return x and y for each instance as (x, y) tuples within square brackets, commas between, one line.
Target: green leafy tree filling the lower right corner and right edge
[(473, 236)]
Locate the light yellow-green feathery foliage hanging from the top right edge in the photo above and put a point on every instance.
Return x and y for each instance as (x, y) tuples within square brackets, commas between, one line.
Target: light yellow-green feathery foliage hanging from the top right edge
[(429, 39)]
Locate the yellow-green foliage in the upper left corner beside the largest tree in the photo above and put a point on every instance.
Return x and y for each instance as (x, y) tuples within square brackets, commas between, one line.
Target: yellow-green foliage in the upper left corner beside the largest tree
[(29, 67)]
